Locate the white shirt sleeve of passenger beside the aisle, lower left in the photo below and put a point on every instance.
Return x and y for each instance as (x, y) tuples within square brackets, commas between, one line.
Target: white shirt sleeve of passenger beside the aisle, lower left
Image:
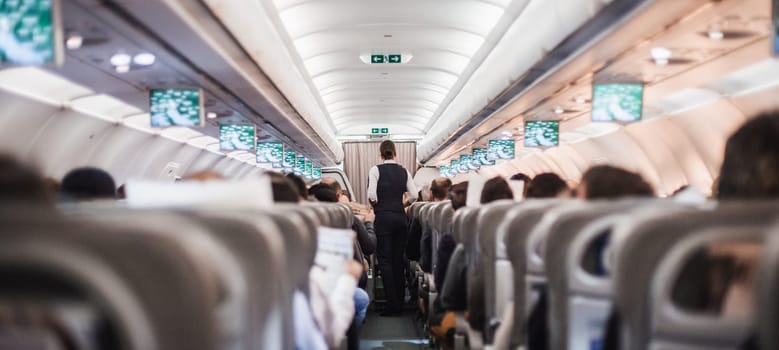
[(333, 309)]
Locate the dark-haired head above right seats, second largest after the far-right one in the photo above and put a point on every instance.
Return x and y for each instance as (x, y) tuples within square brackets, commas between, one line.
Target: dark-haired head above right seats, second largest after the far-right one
[(608, 182)]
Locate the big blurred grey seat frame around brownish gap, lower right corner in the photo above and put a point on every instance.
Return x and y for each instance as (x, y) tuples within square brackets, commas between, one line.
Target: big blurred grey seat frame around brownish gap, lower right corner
[(676, 327)]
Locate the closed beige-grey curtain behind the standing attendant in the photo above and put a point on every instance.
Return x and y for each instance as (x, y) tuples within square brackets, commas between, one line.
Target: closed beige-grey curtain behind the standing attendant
[(359, 157)]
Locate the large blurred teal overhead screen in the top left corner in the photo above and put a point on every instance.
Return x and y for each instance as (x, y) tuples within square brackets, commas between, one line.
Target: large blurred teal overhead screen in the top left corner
[(30, 32)]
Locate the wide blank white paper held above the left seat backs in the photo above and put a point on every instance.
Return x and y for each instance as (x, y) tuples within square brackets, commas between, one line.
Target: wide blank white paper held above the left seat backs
[(246, 194)]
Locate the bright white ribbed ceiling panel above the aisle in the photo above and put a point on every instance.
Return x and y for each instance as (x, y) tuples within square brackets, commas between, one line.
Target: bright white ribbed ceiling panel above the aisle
[(437, 40)]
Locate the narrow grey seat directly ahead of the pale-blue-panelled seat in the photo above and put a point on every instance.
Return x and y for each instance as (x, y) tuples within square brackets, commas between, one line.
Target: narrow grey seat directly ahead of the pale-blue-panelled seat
[(519, 227)]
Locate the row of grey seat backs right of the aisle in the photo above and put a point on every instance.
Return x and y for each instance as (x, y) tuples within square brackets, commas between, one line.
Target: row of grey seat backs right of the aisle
[(625, 265)]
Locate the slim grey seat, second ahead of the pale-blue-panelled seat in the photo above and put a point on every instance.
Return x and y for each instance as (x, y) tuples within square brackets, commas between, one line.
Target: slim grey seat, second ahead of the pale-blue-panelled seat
[(490, 219)]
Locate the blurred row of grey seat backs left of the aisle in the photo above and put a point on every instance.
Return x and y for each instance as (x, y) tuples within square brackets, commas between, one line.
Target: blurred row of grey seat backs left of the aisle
[(108, 277)]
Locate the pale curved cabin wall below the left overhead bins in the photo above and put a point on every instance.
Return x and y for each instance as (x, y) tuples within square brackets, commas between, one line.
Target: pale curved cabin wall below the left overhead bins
[(57, 137)]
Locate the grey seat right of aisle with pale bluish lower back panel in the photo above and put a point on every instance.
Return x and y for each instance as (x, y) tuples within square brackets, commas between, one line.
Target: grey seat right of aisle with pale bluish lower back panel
[(561, 266)]
